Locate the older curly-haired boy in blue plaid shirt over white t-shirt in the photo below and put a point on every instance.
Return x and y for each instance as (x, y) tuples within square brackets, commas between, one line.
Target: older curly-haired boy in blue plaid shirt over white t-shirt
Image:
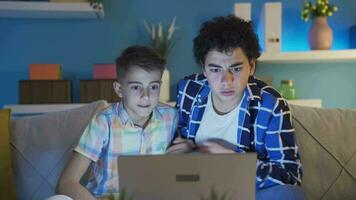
[(226, 109)]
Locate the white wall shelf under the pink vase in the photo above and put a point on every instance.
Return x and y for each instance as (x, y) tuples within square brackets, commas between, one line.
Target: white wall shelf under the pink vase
[(318, 56)]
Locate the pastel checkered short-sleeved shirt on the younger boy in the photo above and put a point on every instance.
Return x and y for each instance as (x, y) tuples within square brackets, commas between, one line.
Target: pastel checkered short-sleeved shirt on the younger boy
[(111, 133)]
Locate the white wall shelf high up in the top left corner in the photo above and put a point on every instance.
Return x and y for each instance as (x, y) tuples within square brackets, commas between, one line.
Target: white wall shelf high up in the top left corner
[(48, 10)]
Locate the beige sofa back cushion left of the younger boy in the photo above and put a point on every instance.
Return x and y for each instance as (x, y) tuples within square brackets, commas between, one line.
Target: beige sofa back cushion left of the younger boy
[(42, 145)]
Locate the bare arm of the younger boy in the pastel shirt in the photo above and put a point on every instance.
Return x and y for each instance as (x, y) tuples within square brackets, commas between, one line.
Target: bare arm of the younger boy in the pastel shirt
[(69, 182)]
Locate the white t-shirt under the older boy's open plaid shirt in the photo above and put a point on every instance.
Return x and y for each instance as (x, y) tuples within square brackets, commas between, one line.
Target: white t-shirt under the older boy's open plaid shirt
[(217, 126)]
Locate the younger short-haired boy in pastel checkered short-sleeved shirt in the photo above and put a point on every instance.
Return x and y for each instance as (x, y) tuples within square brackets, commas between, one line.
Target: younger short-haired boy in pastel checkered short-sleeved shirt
[(137, 125)]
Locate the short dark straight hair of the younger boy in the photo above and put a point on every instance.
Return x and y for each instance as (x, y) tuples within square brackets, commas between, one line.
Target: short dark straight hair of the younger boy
[(139, 56)]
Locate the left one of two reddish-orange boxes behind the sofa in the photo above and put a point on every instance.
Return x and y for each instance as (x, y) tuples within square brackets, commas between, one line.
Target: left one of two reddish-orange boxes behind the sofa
[(45, 72)]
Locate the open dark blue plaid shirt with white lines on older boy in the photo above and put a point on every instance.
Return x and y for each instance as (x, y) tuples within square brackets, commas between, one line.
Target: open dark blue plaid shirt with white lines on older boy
[(264, 126)]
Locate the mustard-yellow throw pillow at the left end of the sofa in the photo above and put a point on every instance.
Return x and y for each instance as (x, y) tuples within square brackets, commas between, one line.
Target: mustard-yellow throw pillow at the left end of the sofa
[(7, 188)]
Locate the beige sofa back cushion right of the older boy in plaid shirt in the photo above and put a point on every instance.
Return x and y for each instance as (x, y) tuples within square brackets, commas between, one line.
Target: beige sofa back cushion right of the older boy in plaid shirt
[(327, 144)]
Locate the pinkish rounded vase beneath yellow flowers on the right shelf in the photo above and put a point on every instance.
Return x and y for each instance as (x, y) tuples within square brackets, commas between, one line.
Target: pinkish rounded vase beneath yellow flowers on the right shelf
[(320, 34)]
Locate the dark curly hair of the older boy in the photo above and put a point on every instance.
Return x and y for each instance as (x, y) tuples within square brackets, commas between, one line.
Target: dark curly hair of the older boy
[(225, 34)]
